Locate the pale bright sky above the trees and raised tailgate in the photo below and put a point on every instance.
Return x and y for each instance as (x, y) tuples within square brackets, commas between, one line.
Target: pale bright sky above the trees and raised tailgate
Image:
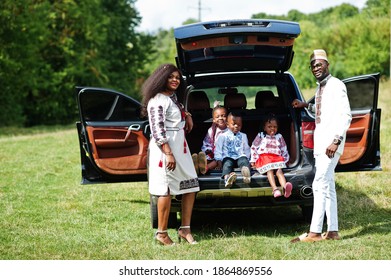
[(172, 13)]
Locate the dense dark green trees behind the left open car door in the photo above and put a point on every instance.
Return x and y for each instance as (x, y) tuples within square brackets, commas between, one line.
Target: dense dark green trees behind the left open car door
[(49, 47)]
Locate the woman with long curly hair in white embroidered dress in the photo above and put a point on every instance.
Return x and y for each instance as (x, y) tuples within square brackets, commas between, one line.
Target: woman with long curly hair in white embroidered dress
[(170, 166)]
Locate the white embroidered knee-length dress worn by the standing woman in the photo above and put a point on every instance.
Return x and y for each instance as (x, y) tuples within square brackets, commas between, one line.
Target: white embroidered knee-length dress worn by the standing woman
[(167, 126)]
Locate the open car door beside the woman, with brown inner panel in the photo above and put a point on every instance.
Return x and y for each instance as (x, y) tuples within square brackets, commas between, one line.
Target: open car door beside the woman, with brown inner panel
[(113, 139)]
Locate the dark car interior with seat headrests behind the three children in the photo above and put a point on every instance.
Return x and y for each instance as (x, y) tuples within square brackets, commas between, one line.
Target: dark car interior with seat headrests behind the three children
[(253, 109)]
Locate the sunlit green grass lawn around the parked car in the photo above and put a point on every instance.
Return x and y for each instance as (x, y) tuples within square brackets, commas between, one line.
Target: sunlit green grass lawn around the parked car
[(46, 213)]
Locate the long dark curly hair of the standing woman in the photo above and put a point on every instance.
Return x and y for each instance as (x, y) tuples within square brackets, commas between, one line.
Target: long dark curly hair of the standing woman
[(157, 83)]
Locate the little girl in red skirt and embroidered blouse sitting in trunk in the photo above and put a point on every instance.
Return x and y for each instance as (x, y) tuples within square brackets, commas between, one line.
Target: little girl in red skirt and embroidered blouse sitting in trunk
[(269, 153)]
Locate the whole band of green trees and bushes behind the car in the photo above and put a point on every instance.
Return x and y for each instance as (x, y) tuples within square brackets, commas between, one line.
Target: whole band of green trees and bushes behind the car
[(48, 47)]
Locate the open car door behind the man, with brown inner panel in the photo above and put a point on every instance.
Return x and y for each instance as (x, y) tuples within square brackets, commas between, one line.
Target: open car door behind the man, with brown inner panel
[(362, 147)]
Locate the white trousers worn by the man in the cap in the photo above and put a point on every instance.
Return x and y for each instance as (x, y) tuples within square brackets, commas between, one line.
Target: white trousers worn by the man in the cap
[(325, 195)]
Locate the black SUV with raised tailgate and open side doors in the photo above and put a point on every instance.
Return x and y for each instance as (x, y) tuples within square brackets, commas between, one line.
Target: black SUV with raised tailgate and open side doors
[(243, 64)]
